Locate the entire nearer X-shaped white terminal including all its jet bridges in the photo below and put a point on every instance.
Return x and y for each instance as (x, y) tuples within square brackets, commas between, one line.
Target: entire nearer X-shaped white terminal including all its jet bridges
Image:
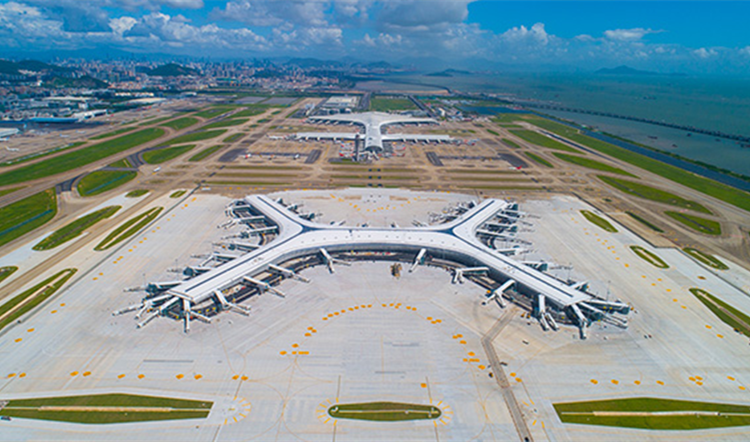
[(464, 245)]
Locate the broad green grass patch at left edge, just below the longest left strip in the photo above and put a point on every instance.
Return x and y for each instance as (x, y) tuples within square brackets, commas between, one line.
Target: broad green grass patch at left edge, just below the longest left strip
[(26, 215)]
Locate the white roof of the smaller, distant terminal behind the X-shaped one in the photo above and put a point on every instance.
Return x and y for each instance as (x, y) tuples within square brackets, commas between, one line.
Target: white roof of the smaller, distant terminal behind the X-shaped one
[(373, 123)]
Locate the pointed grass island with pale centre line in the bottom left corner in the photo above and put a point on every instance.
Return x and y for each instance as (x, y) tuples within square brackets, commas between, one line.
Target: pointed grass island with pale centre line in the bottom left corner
[(107, 409)]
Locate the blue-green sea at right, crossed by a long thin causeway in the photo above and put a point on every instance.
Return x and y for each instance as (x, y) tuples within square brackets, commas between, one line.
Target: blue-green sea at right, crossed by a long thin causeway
[(714, 103)]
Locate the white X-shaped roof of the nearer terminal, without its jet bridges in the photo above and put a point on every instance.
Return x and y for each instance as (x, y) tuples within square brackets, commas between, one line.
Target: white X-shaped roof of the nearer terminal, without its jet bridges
[(298, 237)]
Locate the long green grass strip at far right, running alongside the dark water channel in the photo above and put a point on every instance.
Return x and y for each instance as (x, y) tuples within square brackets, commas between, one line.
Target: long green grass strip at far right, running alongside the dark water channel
[(715, 189)]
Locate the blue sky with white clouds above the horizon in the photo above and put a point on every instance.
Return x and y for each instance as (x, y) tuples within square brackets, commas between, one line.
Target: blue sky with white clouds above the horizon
[(691, 36)]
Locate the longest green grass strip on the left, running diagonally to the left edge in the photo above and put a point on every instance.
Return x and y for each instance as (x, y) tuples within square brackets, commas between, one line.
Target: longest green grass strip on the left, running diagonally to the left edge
[(79, 158)]
